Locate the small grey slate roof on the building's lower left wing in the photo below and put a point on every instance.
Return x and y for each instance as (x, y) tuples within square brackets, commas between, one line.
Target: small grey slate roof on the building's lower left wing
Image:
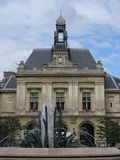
[(8, 83)]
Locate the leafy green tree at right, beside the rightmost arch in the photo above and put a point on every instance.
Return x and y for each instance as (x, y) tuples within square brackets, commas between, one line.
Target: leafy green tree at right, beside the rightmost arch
[(109, 130)]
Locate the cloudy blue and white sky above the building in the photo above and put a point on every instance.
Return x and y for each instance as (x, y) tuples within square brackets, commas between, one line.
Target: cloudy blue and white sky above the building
[(29, 24)]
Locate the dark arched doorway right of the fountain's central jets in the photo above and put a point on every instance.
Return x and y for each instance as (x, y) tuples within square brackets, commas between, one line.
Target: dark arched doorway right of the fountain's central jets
[(87, 134)]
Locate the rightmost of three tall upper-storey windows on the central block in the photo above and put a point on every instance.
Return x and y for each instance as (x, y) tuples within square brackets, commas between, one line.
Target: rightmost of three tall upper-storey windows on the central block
[(86, 100)]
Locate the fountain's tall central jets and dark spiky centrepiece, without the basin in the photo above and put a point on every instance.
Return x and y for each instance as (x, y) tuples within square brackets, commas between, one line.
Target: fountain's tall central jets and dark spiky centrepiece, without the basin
[(50, 133)]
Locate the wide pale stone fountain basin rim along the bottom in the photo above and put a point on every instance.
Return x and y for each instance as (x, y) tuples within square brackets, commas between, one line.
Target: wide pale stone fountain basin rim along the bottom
[(16, 153)]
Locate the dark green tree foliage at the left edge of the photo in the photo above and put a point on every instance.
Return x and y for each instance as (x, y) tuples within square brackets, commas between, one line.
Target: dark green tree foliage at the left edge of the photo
[(8, 125)]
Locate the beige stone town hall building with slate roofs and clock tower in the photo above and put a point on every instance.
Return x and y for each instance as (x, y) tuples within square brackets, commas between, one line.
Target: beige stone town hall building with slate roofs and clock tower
[(65, 77)]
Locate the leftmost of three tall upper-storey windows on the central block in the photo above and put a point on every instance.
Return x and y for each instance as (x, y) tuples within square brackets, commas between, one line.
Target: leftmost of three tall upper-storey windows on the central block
[(34, 101)]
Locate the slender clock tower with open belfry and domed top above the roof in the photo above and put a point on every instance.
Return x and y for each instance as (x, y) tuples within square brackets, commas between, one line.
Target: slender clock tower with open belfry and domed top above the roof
[(60, 49)]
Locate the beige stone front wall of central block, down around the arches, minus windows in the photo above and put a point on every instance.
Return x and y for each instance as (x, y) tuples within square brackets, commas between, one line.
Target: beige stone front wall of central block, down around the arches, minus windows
[(73, 87)]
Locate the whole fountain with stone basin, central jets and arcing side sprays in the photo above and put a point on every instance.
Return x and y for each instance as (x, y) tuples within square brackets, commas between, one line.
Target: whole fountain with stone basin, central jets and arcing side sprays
[(51, 140)]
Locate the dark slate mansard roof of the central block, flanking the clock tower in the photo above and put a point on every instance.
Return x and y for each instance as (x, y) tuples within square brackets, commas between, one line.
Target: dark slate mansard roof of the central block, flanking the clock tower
[(39, 57)]
